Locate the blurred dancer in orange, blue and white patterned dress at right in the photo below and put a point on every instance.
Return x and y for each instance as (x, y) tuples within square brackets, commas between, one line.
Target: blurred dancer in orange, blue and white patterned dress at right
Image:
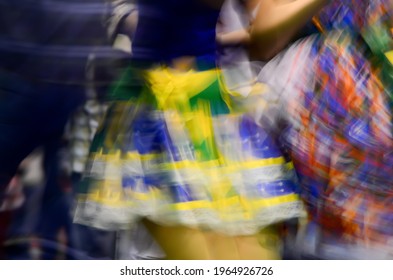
[(333, 91)]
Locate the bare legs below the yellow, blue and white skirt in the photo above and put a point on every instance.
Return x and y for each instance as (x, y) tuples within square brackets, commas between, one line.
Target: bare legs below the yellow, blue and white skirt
[(183, 243)]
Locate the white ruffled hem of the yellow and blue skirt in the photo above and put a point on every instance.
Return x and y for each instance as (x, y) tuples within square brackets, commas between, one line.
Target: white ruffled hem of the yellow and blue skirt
[(104, 217)]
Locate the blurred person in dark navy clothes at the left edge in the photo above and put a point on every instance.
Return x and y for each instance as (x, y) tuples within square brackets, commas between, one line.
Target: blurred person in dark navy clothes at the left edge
[(44, 50)]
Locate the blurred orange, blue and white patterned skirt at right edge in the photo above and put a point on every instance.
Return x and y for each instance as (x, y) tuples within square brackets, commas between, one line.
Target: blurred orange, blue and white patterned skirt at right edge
[(337, 108)]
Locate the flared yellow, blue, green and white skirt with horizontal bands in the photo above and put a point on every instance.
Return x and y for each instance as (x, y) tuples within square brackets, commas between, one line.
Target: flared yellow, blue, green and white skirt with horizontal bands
[(178, 151)]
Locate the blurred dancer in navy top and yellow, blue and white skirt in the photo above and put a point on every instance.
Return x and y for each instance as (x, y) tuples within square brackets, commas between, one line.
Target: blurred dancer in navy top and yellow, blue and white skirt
[(177, 154)]
